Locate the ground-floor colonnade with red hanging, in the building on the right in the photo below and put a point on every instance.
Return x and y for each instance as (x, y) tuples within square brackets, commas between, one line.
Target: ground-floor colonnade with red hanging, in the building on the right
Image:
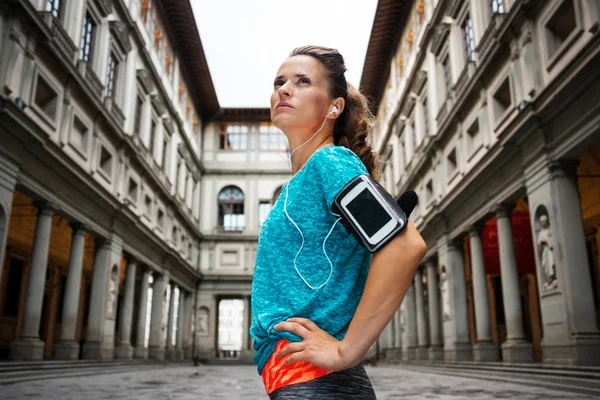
[(496, 292)]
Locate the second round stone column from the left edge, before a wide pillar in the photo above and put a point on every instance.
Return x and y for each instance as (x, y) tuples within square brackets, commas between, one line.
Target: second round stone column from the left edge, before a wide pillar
[(67, 348)]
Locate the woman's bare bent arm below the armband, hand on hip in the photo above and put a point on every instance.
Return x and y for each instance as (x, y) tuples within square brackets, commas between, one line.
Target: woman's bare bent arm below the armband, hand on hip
[(390, 275)]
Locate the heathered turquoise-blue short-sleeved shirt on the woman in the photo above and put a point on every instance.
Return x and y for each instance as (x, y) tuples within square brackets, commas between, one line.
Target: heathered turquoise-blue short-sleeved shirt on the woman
[(278, 292)]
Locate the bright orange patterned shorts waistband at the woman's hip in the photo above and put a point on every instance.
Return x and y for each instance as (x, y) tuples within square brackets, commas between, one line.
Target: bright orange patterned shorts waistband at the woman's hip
[(277, 375)]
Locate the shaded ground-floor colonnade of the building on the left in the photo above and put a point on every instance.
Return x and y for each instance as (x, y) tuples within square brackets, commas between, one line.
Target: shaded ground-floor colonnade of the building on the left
[(52, 303)]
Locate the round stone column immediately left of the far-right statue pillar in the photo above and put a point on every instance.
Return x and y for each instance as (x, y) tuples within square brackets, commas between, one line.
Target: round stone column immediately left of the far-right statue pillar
[(515, 348)]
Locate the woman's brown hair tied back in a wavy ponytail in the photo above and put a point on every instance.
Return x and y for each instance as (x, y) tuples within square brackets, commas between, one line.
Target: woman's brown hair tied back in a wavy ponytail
[(353, 126)]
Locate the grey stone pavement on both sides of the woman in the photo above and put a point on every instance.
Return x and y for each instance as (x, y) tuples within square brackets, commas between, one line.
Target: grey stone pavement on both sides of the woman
[(242, 382)]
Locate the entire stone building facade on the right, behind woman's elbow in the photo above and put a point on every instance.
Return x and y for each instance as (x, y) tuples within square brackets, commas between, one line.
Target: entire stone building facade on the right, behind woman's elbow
[(490, 111)]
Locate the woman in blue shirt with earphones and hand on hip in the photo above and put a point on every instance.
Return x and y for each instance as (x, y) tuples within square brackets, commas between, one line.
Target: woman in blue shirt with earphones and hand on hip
[(319, 300)]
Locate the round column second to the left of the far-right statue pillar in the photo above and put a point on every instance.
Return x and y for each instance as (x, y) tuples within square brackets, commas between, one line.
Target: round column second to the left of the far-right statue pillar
[(484, 349)]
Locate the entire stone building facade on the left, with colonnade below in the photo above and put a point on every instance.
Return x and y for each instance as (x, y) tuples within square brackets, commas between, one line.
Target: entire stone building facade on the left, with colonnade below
[(102, 105)]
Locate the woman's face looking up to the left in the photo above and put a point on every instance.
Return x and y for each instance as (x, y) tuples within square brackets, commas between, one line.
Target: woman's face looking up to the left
[(300, 98)]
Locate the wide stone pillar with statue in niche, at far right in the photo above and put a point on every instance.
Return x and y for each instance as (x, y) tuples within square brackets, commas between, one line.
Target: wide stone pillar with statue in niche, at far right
[(564, 283)]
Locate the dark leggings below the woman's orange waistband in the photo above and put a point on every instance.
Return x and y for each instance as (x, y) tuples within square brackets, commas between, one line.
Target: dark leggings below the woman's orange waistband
[(349, 384)]
